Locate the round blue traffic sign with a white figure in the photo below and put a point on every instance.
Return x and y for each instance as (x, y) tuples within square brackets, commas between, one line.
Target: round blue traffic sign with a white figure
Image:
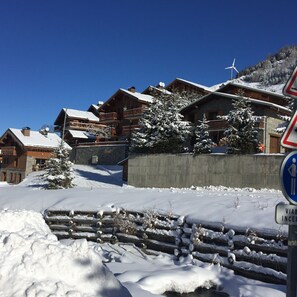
[(288, 177)]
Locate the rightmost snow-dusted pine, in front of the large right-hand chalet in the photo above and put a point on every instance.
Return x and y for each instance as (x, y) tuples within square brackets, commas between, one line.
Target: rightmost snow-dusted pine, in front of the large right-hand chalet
[(241, 135)]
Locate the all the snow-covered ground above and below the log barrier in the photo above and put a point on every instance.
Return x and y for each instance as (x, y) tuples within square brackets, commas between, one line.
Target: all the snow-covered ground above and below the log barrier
[(34, 263)]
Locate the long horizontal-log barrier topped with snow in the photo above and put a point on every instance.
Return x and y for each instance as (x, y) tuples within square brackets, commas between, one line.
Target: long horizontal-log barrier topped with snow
[(251, 253)]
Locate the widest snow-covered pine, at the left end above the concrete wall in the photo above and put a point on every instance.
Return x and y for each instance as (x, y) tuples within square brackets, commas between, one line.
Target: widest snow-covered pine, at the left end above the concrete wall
[(162, 129)]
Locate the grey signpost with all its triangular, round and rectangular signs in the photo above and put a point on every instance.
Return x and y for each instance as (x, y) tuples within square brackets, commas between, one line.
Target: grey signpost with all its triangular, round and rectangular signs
[(286, 214)]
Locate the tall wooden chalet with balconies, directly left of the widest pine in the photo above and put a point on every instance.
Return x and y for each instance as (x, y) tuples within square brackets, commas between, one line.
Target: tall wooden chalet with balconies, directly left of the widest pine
[(122, 111)]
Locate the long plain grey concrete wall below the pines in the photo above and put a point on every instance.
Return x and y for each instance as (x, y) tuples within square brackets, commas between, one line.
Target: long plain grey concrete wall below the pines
[(163, 171)]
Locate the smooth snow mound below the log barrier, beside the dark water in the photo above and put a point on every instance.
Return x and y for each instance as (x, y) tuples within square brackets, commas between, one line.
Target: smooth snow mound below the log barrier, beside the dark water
[(156, 274)]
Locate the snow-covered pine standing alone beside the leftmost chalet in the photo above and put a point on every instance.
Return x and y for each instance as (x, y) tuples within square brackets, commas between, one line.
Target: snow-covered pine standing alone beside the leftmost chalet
[(59, 171)]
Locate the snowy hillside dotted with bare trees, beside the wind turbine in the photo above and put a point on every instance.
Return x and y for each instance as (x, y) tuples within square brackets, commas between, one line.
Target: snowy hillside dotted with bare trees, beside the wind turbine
[(272, 73)]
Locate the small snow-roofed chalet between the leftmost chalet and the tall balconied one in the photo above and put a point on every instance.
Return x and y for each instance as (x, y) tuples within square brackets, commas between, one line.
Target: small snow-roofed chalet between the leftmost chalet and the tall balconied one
[(78, 127)]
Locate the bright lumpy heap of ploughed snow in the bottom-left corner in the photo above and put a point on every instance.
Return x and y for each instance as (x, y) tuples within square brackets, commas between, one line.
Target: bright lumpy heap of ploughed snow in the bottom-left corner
[(34, 263)]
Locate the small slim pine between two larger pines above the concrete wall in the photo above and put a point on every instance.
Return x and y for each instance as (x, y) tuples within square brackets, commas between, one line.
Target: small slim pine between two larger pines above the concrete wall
[(203, 143)]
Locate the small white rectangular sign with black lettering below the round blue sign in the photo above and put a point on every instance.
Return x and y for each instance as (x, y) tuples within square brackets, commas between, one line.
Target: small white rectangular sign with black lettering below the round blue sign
[(286, 214)]
